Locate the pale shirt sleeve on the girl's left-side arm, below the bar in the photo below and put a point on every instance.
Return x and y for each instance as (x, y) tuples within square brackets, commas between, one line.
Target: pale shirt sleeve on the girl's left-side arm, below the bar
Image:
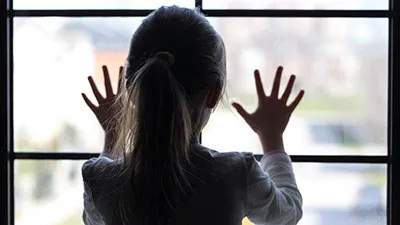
[(91, 216)]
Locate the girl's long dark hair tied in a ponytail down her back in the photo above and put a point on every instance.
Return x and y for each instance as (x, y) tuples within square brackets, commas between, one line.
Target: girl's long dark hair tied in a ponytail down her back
[(161, 108)]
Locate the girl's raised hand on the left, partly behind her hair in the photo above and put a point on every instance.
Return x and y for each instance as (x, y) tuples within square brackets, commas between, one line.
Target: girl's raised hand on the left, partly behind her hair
[(106, 107)]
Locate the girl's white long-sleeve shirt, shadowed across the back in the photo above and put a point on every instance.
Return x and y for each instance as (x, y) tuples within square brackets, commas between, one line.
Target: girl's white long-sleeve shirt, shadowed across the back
[(235, 186)]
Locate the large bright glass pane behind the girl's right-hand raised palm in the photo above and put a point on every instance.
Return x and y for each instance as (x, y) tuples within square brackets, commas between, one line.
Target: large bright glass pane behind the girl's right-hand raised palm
[(341, 64)]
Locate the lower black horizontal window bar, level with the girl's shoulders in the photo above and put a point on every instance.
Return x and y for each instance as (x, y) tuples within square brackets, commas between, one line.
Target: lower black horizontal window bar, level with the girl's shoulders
[(295, 158)]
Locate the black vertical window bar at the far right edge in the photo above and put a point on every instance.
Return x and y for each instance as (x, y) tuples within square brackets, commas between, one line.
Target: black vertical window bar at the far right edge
[(394, 117)]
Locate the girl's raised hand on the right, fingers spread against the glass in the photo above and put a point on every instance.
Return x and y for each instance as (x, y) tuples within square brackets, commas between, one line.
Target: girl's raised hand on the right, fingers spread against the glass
[(273, 113)]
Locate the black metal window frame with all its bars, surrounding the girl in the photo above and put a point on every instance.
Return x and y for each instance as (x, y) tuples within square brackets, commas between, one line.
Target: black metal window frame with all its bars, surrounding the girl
[(8, 156)]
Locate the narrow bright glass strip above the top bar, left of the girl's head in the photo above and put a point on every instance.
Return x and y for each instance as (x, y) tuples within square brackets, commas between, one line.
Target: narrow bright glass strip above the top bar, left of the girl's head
[(99, 4)]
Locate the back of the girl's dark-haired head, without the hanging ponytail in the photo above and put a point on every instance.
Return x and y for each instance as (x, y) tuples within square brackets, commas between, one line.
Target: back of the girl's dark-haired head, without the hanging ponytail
[(199, 66)]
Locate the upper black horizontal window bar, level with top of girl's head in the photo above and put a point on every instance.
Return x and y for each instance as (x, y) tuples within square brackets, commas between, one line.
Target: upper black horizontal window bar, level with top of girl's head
[(214, 13)]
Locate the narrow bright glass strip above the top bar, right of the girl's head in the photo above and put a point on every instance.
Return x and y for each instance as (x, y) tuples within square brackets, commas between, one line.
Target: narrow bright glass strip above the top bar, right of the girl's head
[(296, 4)]
